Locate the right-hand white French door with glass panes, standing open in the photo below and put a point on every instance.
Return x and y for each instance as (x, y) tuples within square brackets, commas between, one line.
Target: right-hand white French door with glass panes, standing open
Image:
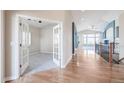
[(57, 45)]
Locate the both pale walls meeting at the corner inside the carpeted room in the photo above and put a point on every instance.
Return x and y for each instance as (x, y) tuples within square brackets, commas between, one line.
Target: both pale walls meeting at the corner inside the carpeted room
[(41, 39)]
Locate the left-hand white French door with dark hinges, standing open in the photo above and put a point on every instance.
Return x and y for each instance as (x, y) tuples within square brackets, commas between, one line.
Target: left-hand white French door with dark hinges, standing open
[(24, 45)]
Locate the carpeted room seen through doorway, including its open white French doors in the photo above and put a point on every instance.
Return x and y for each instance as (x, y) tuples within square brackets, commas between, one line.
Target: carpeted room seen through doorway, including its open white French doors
[(39, 45)]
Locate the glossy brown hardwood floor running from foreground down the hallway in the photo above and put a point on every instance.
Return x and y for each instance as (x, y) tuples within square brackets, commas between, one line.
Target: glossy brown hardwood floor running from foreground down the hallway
[(85, 67)]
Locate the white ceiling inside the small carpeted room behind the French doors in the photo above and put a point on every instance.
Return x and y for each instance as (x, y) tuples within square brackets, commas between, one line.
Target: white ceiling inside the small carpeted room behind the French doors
[(38, 22)]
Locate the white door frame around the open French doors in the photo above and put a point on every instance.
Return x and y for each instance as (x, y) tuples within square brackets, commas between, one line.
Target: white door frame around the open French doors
[(16, 52)]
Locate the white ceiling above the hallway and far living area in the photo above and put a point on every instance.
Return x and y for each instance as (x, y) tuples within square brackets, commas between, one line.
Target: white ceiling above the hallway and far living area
[(93, 19)]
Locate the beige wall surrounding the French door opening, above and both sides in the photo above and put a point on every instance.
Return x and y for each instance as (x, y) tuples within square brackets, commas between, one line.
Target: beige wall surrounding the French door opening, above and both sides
[(57, 15)]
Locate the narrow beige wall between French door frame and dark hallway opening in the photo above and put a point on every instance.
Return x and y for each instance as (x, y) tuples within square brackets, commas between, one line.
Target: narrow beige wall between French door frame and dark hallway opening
[(67, 38)]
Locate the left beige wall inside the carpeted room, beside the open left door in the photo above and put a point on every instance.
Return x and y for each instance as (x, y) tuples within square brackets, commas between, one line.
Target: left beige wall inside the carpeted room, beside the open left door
[(35, 40)]
